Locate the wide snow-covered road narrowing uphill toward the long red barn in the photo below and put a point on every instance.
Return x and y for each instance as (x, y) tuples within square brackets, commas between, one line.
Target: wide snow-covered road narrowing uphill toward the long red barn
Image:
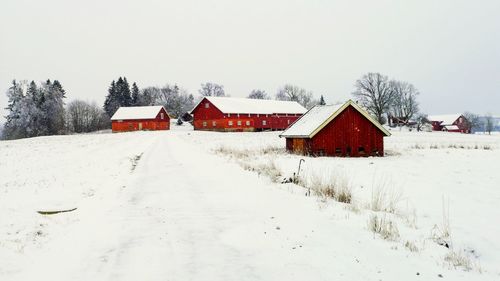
[(186, 214)]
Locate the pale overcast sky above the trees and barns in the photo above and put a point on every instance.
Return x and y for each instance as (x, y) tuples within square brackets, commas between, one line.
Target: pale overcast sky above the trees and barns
[(449, 49)]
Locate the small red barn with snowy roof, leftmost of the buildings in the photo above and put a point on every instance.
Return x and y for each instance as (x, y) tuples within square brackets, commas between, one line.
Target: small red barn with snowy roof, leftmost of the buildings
[(138, 118)]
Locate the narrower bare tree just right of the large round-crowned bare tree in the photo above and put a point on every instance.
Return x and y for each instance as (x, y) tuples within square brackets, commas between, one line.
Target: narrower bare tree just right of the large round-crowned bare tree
[(404, 105)]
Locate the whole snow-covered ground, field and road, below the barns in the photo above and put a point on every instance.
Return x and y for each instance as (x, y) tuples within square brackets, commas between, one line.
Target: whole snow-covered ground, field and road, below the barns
[(182, 205)]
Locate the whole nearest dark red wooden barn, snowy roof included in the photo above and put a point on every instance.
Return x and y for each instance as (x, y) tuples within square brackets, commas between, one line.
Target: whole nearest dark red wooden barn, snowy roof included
[(344, 130)]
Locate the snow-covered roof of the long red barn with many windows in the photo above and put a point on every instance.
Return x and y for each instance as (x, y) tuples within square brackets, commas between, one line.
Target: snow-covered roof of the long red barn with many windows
[(255, 106)]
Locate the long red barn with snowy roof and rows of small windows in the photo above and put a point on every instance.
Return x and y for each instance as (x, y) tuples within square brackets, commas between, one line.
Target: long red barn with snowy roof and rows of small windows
[(240, 114)]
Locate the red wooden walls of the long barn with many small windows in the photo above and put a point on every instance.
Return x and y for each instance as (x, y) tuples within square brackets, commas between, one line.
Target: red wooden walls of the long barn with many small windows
[(211, 118)]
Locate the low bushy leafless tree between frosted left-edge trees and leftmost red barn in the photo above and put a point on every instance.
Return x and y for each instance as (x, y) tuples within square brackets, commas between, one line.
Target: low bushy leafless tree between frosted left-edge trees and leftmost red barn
[(83, 117)]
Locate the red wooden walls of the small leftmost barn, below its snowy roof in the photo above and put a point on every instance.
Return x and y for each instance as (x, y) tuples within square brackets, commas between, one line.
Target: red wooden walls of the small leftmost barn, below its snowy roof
[(147, 124)]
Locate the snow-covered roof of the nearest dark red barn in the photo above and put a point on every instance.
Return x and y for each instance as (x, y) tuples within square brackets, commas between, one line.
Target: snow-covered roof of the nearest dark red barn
[(319, 116)]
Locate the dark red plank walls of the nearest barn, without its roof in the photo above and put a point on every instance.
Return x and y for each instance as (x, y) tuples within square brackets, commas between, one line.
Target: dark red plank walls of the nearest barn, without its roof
[(350, 134)]
